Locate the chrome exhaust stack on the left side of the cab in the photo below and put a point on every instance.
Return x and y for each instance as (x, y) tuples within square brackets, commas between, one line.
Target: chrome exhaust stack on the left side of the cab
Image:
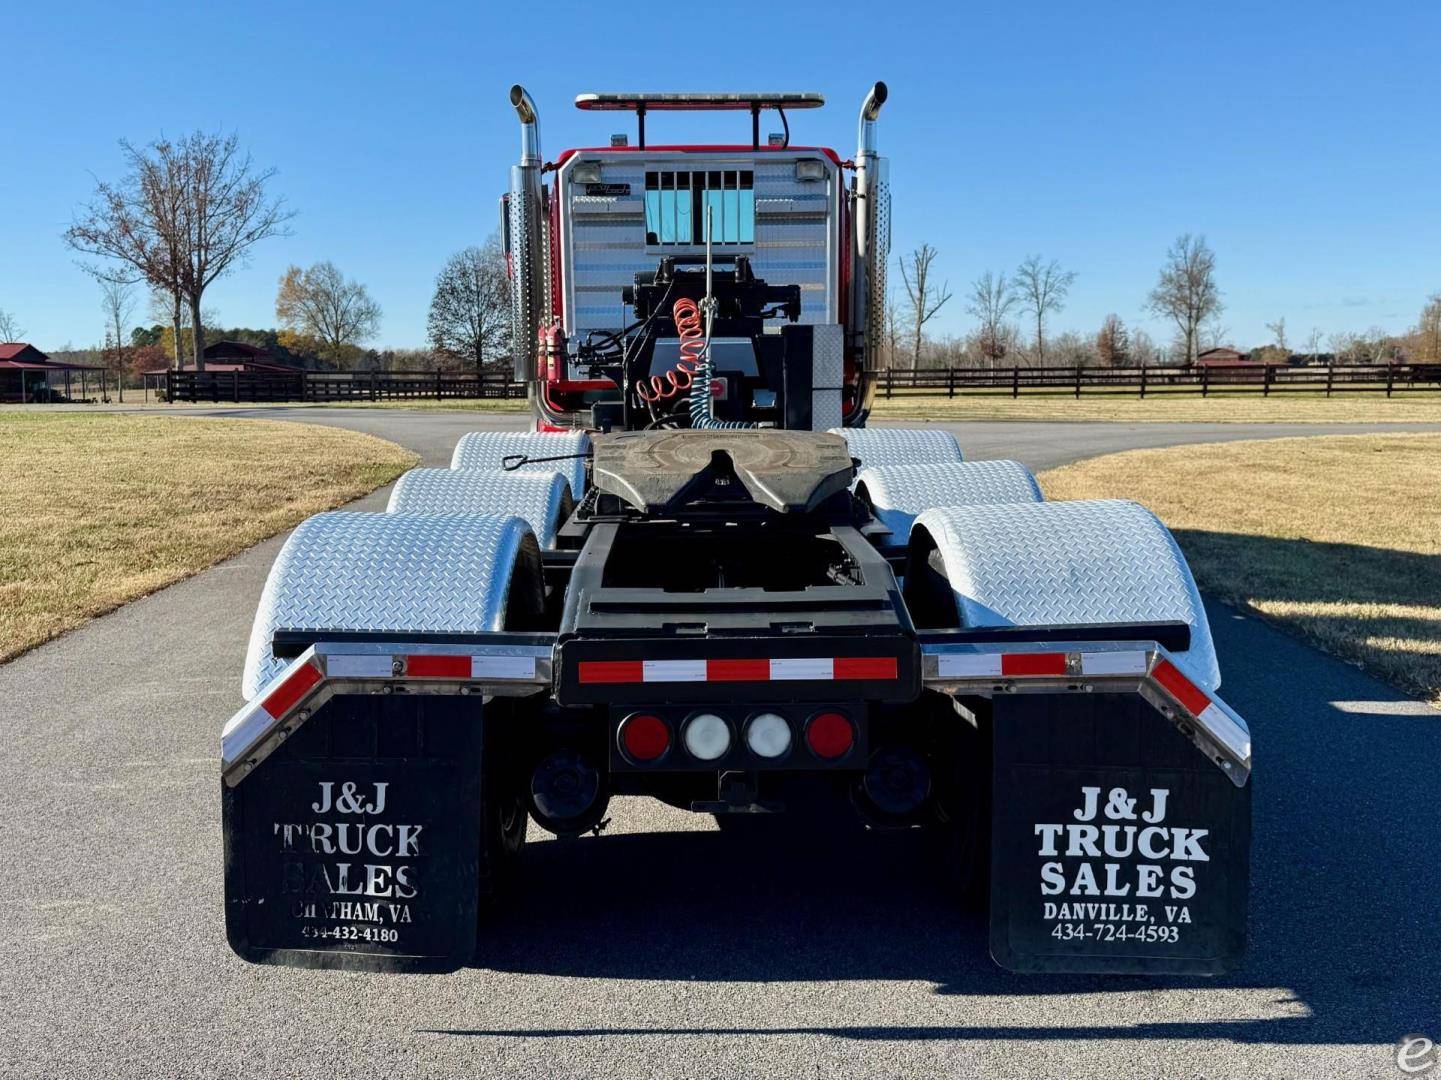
[(528, 269)]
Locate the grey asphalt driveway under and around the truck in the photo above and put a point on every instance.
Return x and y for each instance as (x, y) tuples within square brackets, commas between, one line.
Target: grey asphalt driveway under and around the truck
[(664, 948)]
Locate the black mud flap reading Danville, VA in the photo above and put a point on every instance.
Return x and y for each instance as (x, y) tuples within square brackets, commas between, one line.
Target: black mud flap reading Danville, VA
[(1116, 846)]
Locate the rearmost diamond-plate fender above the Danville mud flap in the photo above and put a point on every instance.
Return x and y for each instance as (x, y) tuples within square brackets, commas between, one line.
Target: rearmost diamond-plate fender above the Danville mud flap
[(1092, 562)]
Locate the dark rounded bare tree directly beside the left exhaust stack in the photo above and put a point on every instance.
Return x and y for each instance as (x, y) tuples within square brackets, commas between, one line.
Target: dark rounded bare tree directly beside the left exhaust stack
[(470, 312)]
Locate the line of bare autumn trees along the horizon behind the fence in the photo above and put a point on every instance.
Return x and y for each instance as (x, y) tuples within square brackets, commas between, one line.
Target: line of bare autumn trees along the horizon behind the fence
[(187, 213)]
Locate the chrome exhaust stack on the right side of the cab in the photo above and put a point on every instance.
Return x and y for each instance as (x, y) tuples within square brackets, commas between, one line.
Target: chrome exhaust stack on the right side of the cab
[(873, 229)]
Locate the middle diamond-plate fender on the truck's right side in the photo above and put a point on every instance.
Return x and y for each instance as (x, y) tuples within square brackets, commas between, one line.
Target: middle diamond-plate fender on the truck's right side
[(900, 492)]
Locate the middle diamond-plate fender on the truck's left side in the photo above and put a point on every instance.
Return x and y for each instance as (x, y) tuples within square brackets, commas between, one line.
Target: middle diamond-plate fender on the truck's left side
[(541, 498)]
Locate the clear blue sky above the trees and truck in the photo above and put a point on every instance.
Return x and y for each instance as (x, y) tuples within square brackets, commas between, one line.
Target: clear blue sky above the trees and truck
[(1302, 139)]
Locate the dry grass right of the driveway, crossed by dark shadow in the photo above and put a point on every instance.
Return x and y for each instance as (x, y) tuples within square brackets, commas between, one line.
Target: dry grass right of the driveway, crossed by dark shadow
[(1335, 537)]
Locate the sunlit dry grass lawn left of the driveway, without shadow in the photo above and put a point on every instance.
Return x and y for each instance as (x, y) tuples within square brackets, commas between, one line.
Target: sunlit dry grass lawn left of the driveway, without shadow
[(97, 510)]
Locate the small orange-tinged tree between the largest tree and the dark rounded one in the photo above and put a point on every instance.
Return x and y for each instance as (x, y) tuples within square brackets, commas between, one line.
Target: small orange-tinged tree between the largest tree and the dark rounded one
[(319, 308)]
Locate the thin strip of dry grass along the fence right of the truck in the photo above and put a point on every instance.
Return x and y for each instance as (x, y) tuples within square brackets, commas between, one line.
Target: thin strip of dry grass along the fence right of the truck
[(1223, 409)]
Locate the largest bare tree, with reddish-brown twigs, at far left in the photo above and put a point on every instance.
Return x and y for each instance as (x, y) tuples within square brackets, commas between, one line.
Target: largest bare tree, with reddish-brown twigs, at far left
[(185, 214)]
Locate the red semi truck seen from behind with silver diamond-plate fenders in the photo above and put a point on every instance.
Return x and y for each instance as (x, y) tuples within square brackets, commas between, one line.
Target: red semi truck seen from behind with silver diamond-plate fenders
[(702, 577)]
